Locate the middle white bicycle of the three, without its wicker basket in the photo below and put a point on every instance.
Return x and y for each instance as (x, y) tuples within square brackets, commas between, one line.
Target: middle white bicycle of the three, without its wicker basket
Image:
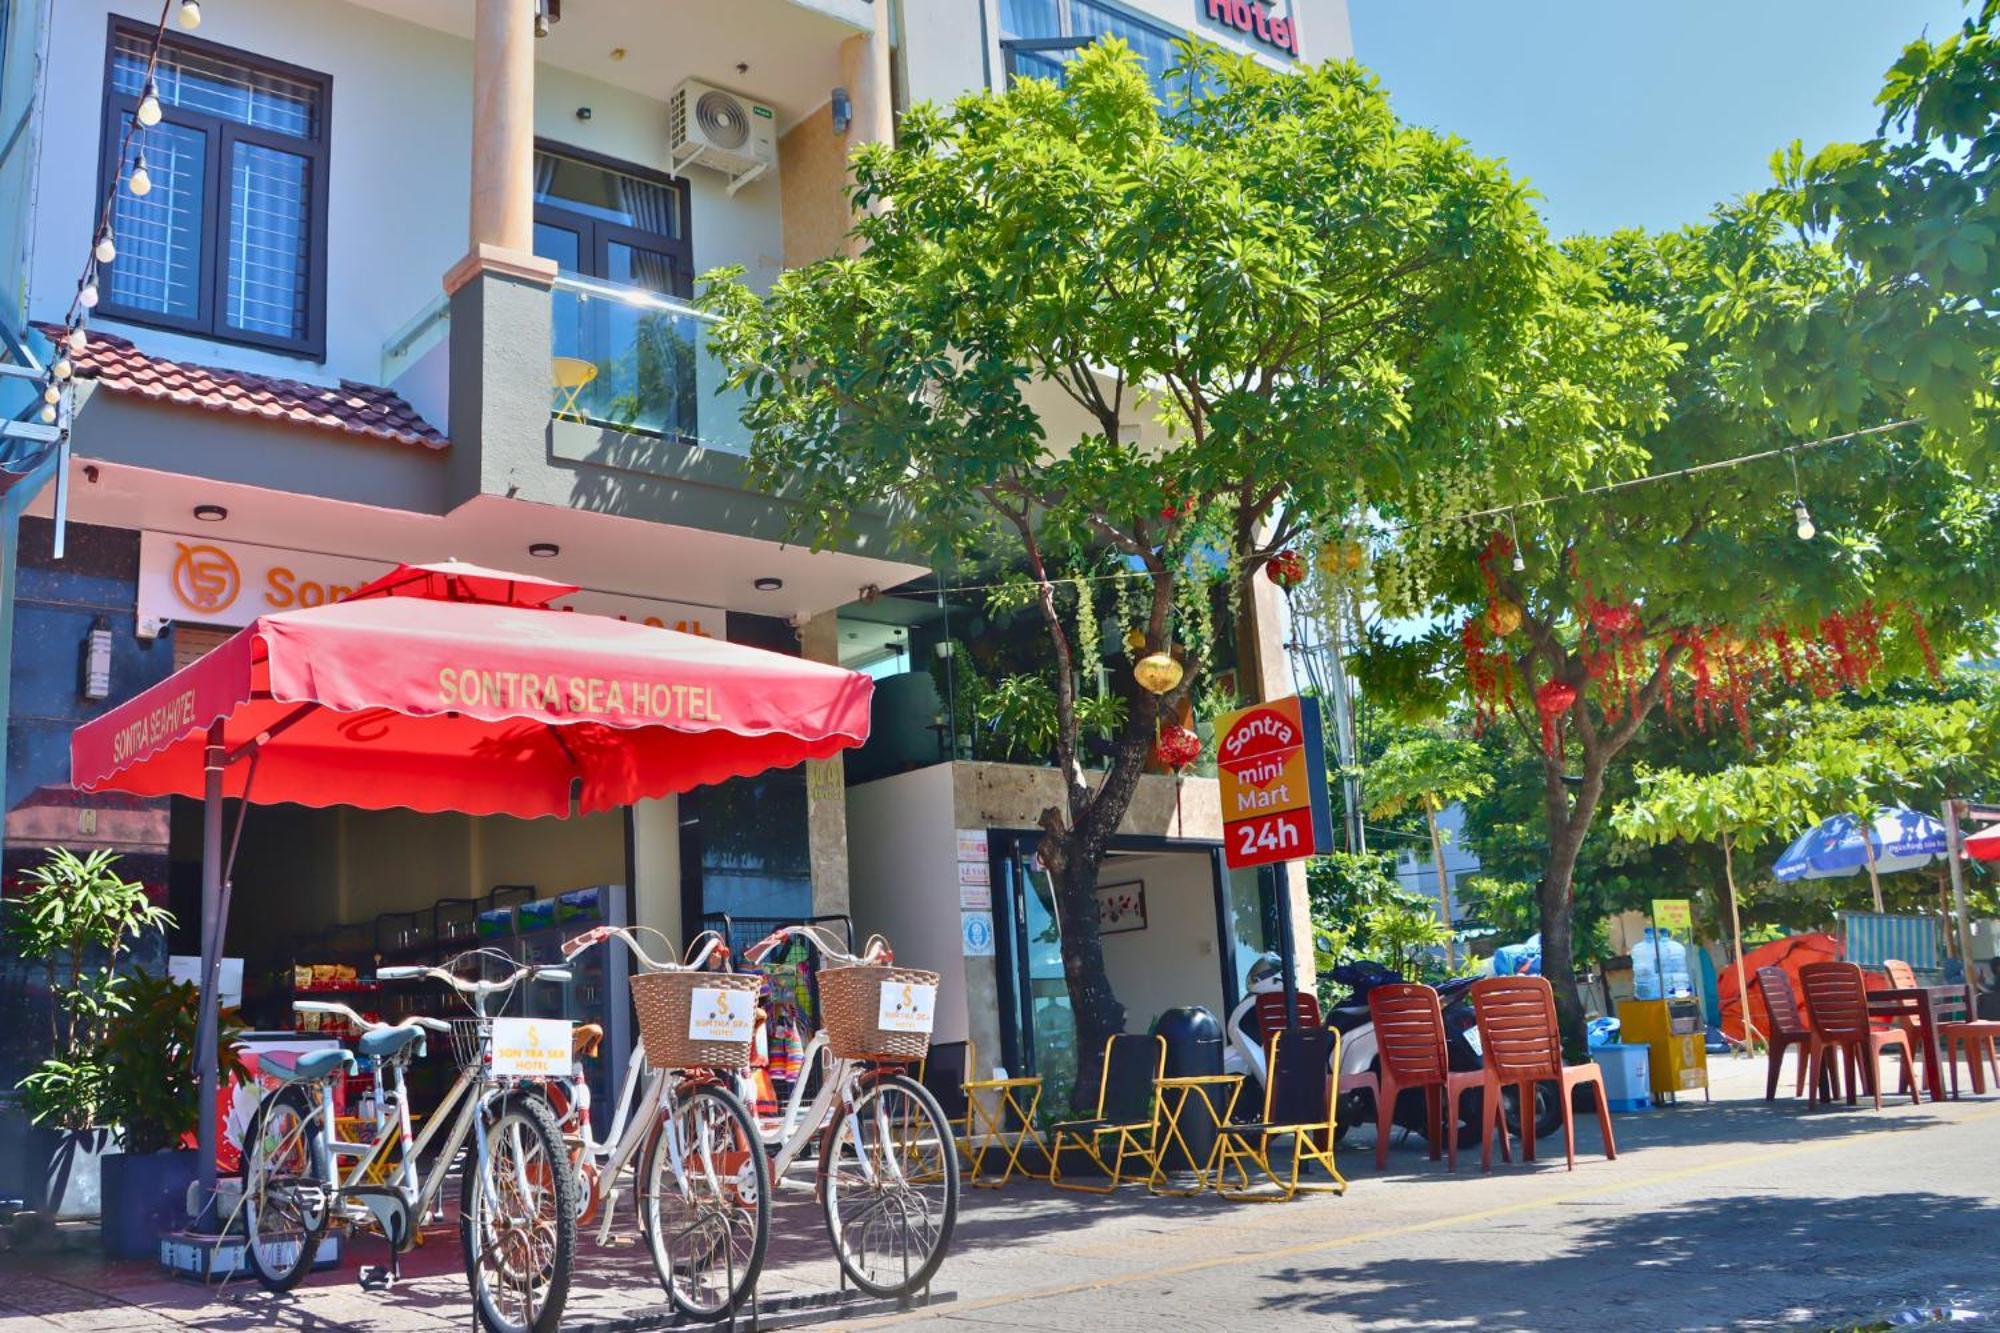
[(699, 1192)]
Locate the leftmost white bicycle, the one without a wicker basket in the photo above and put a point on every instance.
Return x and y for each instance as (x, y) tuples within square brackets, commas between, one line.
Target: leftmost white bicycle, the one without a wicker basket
[(517, 1212)]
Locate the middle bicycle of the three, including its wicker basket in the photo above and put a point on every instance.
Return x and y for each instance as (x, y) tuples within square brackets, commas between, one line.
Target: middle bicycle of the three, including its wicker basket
[(699, 1196)]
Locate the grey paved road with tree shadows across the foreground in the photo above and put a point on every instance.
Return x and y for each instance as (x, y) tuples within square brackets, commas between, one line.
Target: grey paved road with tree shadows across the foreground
[(1715, 1216)]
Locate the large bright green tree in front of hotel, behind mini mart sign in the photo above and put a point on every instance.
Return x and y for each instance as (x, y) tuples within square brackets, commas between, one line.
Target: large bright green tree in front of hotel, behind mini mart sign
[(1137, 339)]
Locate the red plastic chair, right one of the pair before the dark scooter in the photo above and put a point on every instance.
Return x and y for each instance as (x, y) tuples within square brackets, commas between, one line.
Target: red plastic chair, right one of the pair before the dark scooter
[(1523, 1048)]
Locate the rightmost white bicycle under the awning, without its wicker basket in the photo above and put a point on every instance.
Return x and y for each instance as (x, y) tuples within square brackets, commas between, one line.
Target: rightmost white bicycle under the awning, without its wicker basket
[(883, 1156)]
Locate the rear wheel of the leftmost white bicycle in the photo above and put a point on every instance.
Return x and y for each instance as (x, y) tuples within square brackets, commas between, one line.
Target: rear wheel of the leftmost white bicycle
[(285, 1190)]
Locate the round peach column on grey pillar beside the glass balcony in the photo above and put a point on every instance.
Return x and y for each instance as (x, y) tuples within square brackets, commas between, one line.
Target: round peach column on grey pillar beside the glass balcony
[(503, 145)]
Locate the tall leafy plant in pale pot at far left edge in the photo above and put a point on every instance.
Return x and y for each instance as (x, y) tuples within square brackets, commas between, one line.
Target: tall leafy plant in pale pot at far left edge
[(79, 920)]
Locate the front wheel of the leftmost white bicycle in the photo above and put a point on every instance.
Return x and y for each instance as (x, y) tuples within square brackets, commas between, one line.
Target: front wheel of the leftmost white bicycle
[(519, 1234)]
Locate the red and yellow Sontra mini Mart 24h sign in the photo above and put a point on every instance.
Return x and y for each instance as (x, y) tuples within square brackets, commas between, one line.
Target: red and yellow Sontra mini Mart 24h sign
[(1273, 768)]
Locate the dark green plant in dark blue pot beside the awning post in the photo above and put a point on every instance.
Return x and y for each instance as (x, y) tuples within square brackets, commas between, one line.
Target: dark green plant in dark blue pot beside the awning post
[(151, 1094)]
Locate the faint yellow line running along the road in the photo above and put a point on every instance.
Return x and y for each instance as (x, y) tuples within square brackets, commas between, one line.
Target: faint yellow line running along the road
[(1435, 1224)]
